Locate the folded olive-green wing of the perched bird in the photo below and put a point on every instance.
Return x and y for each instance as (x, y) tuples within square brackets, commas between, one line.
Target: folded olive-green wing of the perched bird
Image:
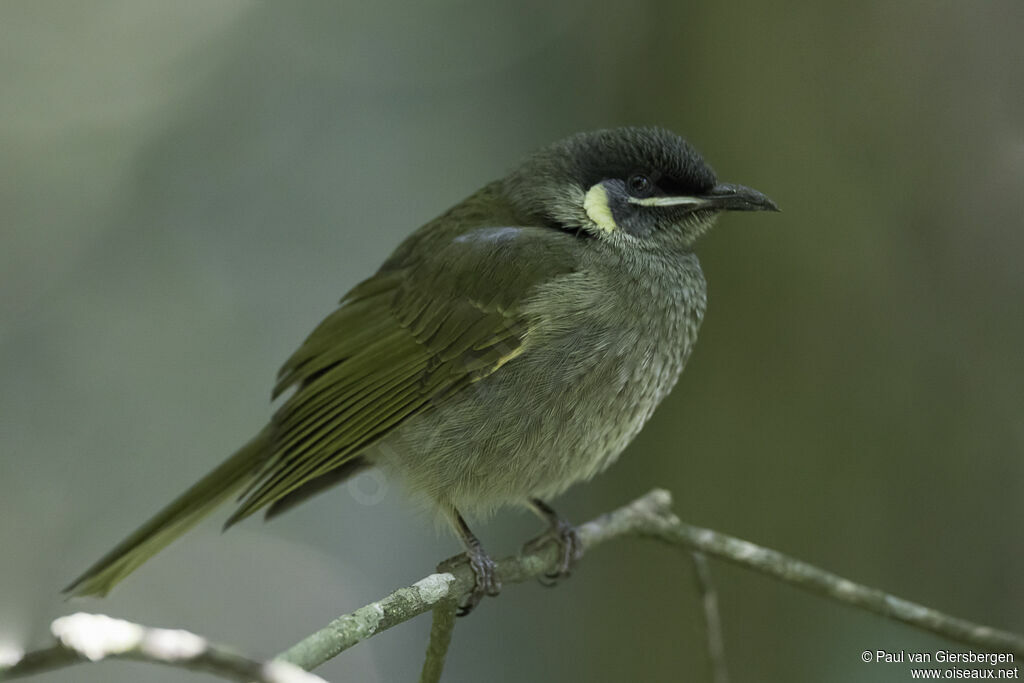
[(421, 329)]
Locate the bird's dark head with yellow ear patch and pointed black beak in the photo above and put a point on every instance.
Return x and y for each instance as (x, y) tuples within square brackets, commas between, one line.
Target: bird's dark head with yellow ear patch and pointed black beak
[(629, 187)]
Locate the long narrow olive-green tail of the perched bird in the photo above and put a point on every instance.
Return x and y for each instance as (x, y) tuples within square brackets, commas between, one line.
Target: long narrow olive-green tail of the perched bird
[(184, 514)]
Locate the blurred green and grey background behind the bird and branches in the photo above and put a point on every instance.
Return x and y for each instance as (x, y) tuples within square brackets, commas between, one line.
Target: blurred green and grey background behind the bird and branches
[(189, 188)]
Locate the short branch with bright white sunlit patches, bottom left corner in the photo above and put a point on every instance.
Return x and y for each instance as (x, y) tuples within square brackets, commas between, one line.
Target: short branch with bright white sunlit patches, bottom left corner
[(83, 638)]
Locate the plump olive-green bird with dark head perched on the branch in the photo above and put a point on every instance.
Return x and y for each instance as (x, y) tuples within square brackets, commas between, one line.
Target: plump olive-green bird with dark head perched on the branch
[(507, 350)]
